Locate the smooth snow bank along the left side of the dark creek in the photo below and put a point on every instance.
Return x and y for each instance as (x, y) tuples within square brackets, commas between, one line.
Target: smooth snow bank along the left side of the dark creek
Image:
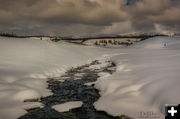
[(27, 63)]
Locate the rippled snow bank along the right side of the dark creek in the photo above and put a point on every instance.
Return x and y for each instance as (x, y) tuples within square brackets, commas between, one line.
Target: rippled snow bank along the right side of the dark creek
[(146, 79)]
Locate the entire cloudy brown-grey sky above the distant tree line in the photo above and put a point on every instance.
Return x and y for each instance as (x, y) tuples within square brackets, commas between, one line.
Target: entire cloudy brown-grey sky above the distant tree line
[(88, 17)]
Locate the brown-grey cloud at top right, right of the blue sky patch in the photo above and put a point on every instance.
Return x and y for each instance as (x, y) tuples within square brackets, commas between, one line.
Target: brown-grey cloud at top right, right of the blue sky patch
[(146, 13)]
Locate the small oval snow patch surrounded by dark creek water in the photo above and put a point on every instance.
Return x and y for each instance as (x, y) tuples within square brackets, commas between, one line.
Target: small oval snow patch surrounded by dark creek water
[(67, 106)]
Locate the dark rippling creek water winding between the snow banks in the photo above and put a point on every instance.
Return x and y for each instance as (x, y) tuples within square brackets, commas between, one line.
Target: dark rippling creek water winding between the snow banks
[(73, 90)]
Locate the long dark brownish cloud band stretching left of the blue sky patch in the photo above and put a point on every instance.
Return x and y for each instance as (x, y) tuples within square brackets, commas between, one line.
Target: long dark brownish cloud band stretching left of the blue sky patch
[(61, 11)]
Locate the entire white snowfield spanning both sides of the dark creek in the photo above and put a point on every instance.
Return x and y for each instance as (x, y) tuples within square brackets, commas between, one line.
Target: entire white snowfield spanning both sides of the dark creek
[(147, 75)]
